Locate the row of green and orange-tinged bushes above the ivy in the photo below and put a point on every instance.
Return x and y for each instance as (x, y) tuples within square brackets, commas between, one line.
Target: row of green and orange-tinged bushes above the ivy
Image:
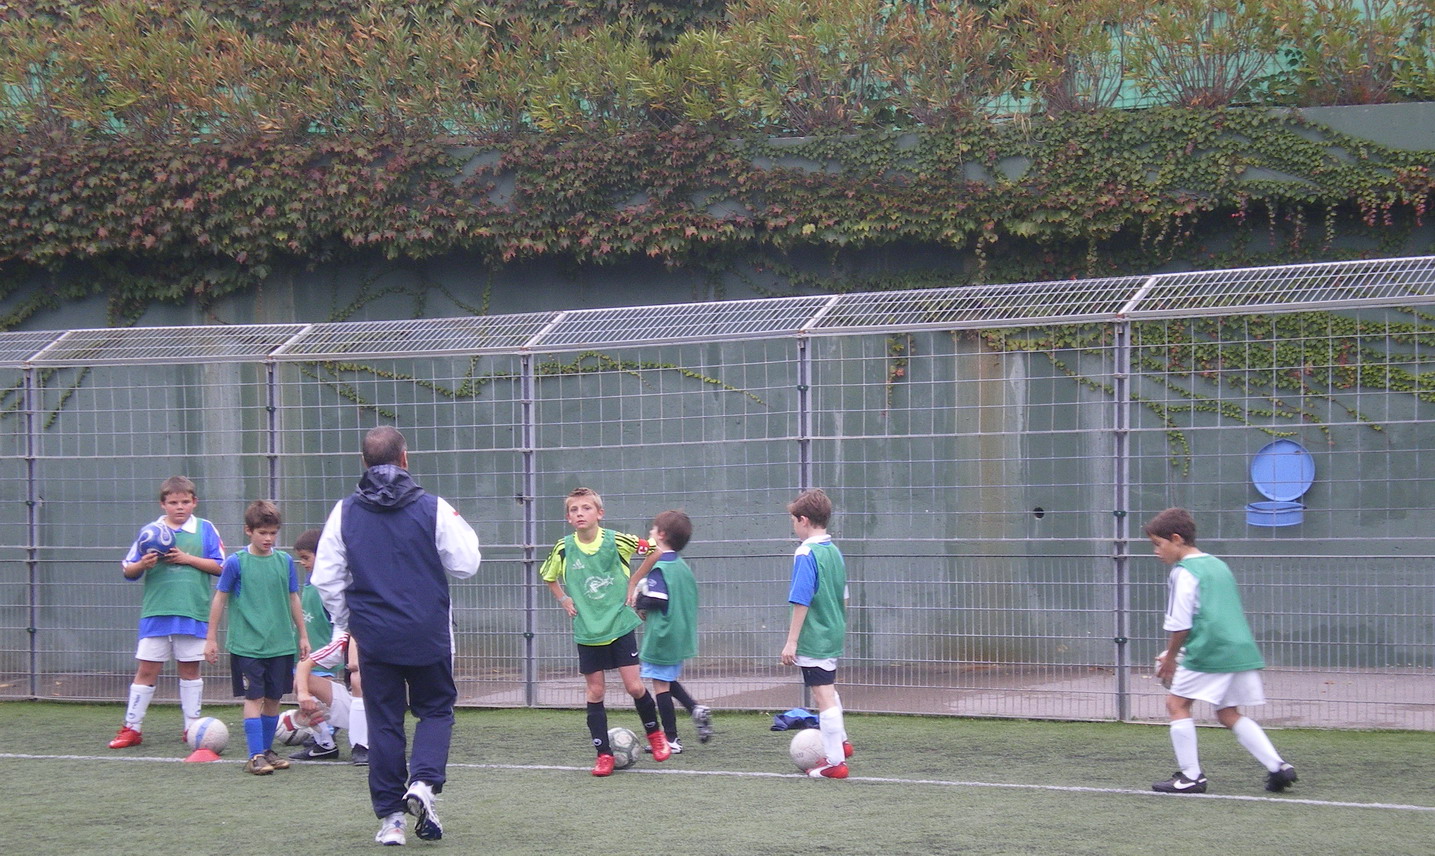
[(149, 70)]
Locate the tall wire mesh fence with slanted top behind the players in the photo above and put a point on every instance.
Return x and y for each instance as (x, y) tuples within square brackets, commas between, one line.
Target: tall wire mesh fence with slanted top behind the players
[(992, 452)]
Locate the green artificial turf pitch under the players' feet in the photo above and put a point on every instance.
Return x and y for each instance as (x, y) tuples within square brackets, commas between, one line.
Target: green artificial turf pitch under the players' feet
[(519, 784)]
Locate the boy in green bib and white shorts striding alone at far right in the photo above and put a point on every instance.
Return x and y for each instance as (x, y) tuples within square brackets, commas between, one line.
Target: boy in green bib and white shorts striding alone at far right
[(1210, 655)]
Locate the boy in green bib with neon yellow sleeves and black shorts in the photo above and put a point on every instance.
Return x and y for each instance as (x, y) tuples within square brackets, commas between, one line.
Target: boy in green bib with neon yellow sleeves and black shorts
[(588, 573)]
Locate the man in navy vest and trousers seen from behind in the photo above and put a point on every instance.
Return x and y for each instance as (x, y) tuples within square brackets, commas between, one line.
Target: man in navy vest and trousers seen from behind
[(382, 570)]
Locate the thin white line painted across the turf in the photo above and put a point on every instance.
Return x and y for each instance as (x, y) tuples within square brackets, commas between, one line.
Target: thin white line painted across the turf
[(866, 779)]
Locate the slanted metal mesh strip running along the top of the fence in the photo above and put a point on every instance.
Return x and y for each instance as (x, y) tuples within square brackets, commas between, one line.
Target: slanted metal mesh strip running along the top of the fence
[(1322, 286)]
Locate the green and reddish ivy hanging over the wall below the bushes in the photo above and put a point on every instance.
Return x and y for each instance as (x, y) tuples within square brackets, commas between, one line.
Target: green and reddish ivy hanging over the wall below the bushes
[(183, 220)]
